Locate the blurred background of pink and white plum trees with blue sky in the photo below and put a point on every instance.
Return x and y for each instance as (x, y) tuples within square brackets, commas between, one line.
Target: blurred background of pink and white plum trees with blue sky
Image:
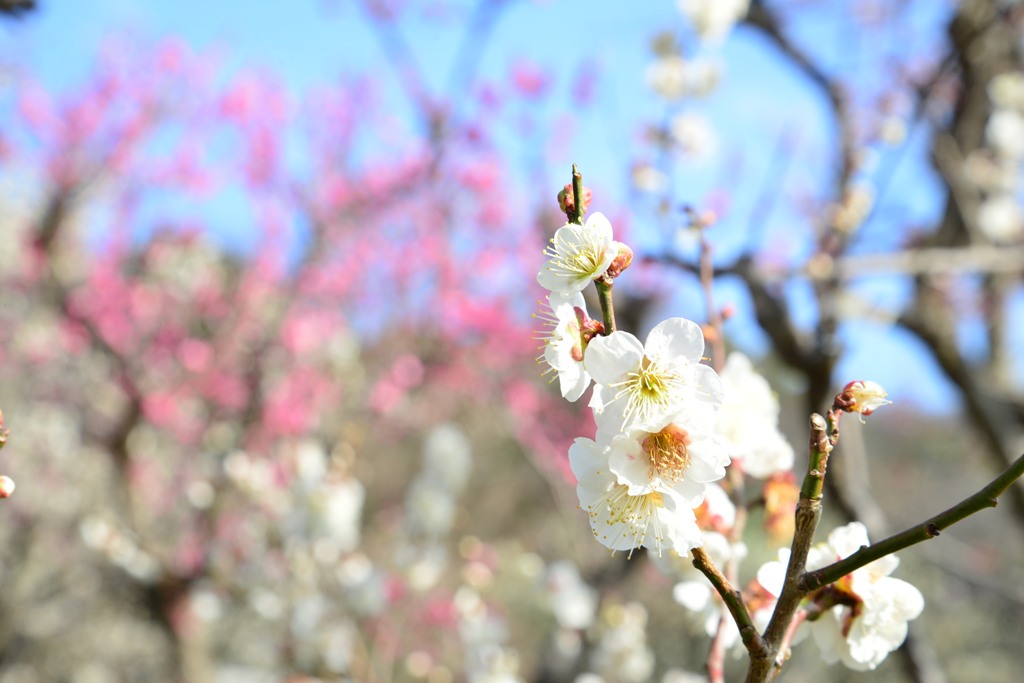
[(268, 356)]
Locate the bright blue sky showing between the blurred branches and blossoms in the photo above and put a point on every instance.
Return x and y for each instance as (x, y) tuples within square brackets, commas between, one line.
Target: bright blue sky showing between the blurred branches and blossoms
[(762, 99)]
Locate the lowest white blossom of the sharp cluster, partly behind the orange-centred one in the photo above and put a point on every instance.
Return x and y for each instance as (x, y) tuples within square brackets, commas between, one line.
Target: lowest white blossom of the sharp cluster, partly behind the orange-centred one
[(659, 521)]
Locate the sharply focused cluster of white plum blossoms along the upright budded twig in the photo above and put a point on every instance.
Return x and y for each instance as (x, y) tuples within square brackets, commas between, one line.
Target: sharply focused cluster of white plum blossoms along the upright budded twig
[(654, 402)]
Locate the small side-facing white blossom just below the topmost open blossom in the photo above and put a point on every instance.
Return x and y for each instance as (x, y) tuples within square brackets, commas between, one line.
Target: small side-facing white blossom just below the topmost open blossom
[(565, 344)]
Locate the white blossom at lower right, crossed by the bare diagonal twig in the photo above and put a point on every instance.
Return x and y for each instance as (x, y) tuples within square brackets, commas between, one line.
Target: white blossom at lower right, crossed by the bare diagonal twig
[(863, 636)]
